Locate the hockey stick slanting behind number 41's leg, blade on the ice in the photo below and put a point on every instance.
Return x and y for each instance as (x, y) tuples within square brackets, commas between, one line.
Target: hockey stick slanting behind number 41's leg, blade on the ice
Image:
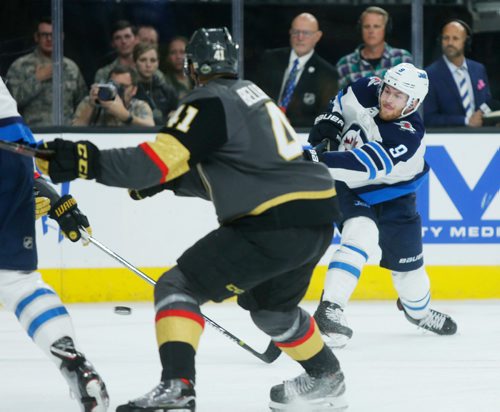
[(271, 353)]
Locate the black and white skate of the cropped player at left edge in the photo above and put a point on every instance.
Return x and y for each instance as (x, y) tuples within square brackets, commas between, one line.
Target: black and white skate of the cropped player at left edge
[(84, 382)]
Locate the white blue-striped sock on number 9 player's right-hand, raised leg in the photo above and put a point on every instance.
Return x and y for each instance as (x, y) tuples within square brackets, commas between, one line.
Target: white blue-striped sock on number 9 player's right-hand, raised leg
[(414, 291)]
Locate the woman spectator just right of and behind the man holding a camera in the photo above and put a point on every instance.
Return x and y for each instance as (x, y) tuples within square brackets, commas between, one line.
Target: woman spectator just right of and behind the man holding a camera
[(161, 97)]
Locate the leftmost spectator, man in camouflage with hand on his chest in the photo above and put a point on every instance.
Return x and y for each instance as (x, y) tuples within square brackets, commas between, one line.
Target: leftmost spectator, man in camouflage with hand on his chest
[(29, 79)]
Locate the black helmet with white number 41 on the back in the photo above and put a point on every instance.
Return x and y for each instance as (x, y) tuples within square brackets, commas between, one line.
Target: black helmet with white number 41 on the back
[(212, 51)]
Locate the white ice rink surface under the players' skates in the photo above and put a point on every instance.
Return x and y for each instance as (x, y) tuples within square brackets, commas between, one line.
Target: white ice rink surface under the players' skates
[(389, 364)]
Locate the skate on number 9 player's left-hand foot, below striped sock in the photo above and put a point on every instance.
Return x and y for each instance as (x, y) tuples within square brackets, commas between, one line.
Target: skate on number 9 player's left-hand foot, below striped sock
[(333, 324)]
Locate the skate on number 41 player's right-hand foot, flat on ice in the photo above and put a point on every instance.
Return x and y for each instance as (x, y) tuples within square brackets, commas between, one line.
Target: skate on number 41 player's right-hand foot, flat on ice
[(306, 393)]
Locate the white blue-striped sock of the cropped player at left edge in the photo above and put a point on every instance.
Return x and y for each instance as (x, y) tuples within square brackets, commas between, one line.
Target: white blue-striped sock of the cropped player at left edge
[(37, 307)]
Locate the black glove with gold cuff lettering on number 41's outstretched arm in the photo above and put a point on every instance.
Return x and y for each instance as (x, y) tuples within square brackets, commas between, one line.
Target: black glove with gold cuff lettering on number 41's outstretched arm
[(71, 160)]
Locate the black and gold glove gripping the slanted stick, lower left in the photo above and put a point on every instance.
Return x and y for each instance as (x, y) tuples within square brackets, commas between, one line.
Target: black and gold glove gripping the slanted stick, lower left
[(65, 211)]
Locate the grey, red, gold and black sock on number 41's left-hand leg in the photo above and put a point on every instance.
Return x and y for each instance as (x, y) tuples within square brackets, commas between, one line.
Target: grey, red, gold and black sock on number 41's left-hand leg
[(179, 326)]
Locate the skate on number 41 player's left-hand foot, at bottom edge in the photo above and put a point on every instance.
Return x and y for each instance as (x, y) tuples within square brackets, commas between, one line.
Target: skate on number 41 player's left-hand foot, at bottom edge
[(172, 395)]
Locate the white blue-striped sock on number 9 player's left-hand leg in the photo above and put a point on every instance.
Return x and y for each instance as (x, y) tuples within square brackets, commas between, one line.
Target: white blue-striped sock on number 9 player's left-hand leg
[(343, 274)]
